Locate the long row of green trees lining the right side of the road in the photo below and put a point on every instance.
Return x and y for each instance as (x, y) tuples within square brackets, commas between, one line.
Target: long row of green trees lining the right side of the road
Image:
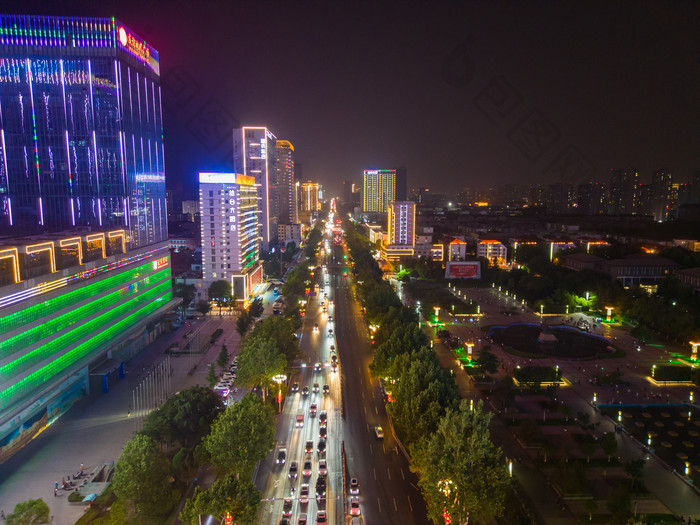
[(461, 472)]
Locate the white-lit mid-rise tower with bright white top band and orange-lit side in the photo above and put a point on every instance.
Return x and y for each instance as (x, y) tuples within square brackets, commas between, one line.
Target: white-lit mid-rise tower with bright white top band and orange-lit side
[(229, 224)]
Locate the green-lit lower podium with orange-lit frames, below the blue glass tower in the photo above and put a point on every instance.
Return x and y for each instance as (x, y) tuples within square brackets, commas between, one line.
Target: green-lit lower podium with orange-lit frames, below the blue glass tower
[(73, 311)]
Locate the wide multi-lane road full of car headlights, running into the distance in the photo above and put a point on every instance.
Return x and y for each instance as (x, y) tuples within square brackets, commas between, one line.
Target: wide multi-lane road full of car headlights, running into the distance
[(354, 407)]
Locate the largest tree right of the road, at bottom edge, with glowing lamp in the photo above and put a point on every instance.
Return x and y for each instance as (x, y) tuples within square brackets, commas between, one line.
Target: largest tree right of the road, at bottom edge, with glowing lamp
[(460, 469)]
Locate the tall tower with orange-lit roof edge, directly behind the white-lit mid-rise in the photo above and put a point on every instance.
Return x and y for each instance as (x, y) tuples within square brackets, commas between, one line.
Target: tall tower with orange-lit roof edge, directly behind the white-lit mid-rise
[(254, 155)]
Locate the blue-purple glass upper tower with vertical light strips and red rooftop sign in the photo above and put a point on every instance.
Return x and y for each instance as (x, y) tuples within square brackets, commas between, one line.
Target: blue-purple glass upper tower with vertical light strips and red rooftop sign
[(81, 131)]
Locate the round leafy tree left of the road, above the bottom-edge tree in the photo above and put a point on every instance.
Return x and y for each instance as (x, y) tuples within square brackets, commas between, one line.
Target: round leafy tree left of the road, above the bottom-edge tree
[(241, 436)]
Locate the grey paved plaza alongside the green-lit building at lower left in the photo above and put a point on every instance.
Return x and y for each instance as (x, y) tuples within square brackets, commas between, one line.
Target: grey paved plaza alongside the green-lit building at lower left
[(96, 428)]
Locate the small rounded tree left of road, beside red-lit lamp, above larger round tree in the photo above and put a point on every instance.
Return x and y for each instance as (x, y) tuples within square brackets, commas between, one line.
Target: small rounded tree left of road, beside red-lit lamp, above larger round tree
[(258, 362)]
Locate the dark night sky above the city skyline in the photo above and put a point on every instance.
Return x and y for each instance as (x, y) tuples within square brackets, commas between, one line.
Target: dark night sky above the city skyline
[(462, 94)]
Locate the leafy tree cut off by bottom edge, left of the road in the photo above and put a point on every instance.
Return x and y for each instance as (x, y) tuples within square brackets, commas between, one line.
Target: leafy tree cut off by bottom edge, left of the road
[(228, 496)]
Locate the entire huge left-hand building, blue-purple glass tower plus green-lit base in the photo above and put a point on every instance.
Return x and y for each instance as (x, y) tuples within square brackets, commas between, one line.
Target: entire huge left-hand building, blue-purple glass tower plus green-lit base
[(84, 260)]
